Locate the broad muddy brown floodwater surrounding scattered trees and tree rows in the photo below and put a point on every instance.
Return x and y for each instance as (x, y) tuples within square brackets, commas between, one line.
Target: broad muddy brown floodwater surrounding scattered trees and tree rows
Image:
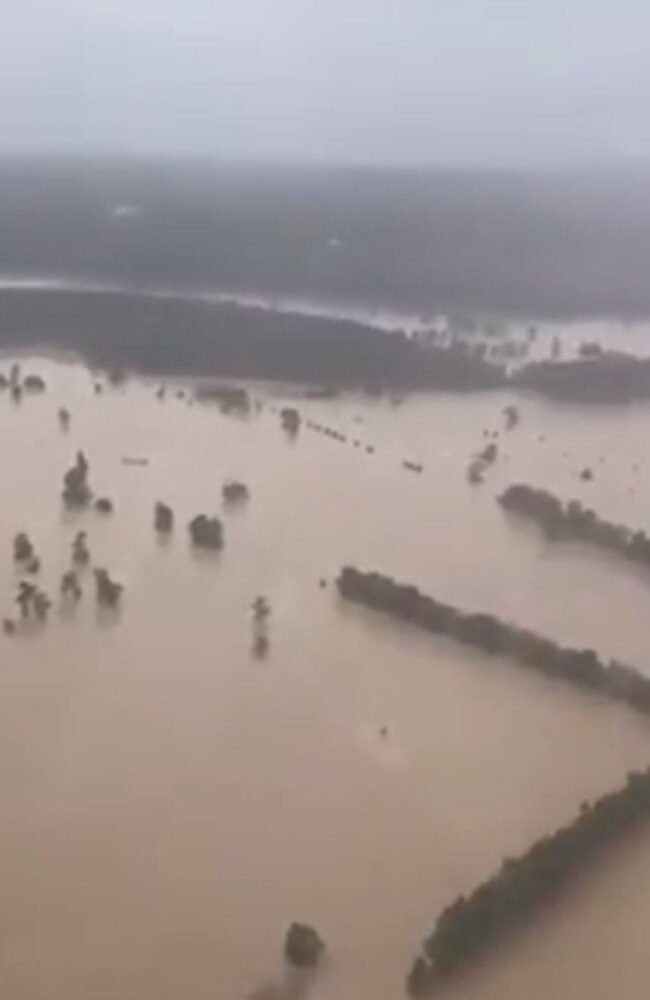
[(170, 802)]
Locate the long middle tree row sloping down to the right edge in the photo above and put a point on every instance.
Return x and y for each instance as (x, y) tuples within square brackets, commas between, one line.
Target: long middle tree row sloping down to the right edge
[(580, 667)]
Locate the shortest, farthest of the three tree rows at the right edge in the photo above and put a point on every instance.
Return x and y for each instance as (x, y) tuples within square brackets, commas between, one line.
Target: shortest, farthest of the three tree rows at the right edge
[(573, 522)]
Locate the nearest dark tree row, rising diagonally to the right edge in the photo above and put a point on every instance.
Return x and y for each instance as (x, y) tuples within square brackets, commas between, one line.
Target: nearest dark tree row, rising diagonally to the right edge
[(498, 907)]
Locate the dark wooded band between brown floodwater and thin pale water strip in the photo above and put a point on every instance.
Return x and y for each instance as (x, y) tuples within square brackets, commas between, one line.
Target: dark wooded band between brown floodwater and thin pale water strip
[(167, 335)]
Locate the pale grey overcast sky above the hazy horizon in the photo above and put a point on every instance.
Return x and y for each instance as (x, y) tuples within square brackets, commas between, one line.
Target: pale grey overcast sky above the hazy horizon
[(443, 82)]
